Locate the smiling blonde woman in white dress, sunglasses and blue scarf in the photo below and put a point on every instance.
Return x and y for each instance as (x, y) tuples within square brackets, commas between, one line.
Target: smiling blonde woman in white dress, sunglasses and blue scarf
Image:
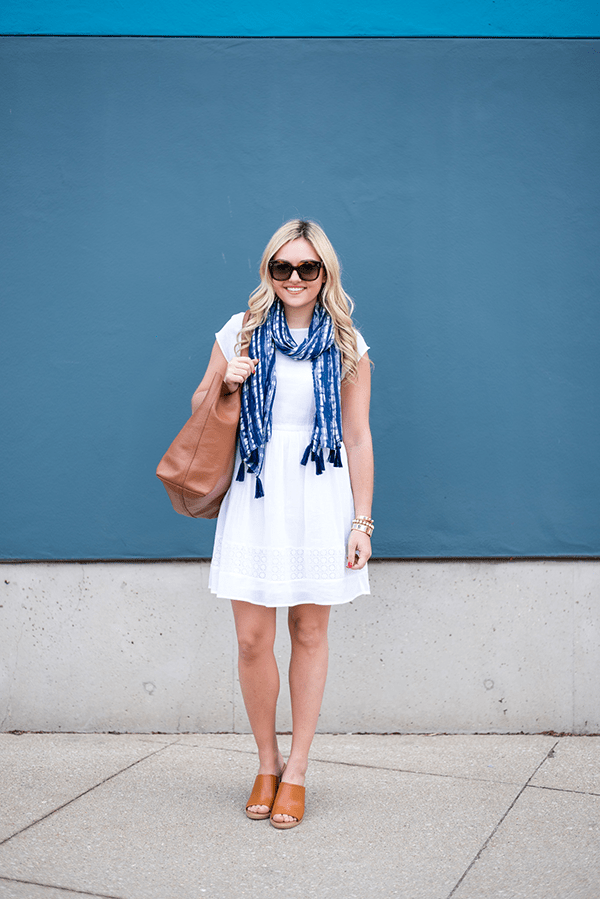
[(287, 534)]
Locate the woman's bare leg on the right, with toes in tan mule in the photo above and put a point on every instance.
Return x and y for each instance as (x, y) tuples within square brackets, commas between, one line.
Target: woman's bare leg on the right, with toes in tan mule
[(308, 673)]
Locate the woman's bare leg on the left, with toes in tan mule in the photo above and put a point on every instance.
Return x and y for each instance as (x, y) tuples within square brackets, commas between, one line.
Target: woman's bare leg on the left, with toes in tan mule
[(259, 681)]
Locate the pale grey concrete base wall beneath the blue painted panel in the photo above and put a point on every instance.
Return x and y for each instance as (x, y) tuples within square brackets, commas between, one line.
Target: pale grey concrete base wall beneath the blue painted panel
[(457, 647)]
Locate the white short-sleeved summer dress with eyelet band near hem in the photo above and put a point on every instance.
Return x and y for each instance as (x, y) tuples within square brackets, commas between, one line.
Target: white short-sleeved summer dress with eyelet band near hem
[(289, 547)]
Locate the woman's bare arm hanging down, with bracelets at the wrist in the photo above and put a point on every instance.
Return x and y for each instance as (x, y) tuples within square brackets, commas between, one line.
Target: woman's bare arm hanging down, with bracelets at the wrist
[(356, 398)]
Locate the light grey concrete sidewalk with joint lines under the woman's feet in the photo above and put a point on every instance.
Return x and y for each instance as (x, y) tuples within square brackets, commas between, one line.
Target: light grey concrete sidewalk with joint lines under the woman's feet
[(161, 817)]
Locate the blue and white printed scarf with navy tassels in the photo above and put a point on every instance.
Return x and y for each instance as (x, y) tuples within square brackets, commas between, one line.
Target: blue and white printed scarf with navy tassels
[(258, 391)]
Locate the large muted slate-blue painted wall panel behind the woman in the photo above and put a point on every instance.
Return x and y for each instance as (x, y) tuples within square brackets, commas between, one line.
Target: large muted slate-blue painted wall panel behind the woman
[(458, 180)]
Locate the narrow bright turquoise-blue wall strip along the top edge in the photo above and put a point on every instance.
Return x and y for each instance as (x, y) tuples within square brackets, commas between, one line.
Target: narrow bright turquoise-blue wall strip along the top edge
[(509, 18)]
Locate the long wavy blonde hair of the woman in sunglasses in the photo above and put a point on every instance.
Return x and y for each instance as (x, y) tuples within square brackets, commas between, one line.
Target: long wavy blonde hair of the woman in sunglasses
[(333, 296)]
